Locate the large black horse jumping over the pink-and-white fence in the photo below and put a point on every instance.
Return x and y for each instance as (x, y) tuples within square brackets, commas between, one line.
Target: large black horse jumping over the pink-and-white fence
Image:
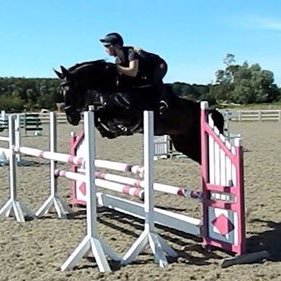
[(119, 105)]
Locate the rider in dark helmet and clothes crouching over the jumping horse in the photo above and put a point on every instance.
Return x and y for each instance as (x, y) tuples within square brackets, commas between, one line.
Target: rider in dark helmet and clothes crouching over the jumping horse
[(144, 67)]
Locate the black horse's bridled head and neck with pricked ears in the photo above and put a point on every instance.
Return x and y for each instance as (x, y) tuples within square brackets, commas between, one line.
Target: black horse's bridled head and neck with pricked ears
[(78, 80)]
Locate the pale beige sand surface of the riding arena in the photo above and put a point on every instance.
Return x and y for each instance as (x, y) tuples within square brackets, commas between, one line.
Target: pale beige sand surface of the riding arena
[(35, 250)]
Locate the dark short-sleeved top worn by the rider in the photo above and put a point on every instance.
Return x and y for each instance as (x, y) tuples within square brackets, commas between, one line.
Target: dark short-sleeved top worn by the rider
[(147, 61)]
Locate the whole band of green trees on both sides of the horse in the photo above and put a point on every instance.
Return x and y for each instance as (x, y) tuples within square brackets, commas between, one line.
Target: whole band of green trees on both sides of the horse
[(239, 84)]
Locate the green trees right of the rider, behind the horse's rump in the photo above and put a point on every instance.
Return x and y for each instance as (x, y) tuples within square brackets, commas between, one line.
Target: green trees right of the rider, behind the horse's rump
[(238, 84)]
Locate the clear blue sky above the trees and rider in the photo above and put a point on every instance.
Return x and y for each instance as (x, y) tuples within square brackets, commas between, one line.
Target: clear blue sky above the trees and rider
[(192, 35)]
